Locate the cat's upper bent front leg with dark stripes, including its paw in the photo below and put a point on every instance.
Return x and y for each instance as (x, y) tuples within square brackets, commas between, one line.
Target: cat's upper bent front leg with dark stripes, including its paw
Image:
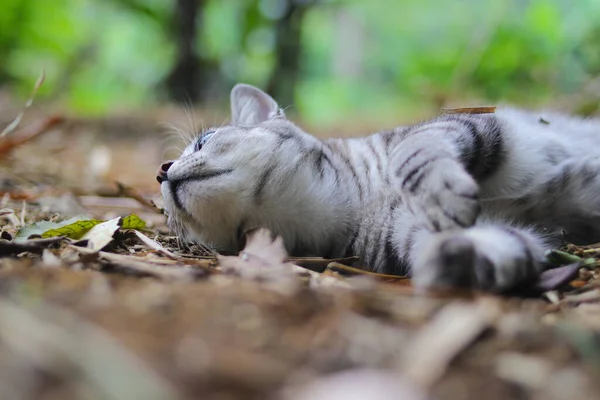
[(438, 164)]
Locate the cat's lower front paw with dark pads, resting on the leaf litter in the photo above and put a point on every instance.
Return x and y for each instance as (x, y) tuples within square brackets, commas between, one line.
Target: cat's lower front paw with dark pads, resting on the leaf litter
[(493, 258)]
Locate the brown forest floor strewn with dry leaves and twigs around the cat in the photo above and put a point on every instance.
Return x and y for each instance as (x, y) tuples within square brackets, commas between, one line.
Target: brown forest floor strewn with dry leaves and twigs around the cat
[(144, 317)]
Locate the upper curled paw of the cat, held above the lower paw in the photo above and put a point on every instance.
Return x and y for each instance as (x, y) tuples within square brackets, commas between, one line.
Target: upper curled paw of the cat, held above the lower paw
[(445, 193)]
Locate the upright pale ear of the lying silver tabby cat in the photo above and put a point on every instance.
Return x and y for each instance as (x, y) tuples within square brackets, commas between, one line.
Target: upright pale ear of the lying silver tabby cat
[(251, 106)]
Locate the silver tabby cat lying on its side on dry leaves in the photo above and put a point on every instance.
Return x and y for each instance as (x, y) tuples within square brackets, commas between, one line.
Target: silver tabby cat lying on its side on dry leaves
[(461, 200)]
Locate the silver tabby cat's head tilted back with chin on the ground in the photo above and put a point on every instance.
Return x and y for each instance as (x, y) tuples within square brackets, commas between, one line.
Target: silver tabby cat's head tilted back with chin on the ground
[(259, 171)]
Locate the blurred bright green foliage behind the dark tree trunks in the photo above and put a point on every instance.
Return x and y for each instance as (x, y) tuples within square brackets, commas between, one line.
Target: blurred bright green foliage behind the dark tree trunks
[(370, 58)]
